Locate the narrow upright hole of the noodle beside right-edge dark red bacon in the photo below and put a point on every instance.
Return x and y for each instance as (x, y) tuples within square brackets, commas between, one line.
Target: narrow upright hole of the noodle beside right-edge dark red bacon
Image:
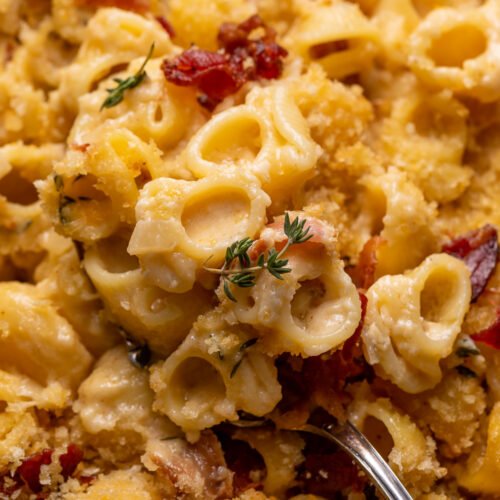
[(437, 298)]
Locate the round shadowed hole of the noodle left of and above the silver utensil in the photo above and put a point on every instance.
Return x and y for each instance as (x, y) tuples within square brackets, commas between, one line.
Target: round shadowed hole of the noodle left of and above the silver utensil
[(196, 382)]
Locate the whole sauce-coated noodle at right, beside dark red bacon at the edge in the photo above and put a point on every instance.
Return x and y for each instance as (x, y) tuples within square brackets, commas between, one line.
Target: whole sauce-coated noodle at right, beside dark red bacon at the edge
[(412, 321)]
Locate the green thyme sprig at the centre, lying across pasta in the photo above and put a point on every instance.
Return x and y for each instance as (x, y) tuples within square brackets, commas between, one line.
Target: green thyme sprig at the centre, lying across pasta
[(244, 276)]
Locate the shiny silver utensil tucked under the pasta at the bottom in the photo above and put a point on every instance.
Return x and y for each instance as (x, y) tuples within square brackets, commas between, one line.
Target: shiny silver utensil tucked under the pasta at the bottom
[(355, 444)]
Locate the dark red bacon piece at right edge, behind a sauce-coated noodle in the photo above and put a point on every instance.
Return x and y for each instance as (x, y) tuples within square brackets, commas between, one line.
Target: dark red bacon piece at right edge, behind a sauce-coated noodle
[(479, 250)]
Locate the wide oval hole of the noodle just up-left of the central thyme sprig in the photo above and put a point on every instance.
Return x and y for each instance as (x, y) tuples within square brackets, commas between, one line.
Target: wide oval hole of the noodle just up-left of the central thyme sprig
[(216, 216)]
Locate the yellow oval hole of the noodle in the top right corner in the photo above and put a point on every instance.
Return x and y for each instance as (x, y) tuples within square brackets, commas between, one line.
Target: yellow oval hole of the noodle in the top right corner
[(452, 48)]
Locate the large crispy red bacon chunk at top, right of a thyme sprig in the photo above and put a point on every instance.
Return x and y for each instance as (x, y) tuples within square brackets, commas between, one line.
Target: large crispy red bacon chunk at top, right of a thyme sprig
[(241, 59)]
